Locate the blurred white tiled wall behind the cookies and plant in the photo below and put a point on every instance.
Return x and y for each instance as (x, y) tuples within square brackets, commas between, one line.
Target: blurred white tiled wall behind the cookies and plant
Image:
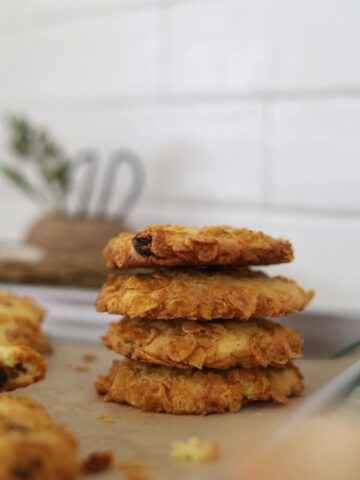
[(243, 112)]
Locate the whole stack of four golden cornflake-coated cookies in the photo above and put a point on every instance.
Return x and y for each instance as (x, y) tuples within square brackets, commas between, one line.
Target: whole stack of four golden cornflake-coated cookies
[(194, 329)]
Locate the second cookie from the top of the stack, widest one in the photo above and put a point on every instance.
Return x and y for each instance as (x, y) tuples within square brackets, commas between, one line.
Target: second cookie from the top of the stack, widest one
[(206, 294)]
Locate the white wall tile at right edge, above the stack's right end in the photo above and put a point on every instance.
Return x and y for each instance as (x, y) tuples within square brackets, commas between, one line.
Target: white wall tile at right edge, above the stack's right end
[(315, 153)]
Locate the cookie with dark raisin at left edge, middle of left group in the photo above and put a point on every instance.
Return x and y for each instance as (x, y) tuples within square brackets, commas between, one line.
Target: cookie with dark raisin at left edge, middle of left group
[(20, 366)]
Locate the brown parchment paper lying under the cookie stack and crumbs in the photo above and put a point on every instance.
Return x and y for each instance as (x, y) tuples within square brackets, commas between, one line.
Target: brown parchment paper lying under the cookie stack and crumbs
[(69, 396)]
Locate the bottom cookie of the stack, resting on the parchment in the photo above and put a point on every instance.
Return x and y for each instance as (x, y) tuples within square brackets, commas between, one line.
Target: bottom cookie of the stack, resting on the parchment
[(163, 389)]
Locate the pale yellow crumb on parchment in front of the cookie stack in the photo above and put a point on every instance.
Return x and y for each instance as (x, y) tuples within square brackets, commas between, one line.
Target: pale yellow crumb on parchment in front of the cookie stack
[(195, 449)]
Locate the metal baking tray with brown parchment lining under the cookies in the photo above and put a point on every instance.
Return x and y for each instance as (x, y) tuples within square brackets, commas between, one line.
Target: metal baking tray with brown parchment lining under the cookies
[(69, 395)]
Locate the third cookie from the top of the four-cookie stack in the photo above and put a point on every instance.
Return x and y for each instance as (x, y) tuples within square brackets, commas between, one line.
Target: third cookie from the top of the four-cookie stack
[(185, 344)]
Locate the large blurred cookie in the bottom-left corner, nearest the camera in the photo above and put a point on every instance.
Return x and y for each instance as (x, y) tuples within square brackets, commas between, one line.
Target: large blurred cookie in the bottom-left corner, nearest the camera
[(32, 446)]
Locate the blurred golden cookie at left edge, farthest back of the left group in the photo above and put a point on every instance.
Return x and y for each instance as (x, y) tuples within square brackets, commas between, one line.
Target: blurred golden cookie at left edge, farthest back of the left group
[(20, 322)]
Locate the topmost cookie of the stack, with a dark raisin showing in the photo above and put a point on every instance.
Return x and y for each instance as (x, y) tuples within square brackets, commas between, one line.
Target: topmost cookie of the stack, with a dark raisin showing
[(170, 245)]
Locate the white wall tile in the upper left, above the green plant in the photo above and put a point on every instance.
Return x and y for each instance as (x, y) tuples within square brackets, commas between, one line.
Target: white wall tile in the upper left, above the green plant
[(96, 57)]
